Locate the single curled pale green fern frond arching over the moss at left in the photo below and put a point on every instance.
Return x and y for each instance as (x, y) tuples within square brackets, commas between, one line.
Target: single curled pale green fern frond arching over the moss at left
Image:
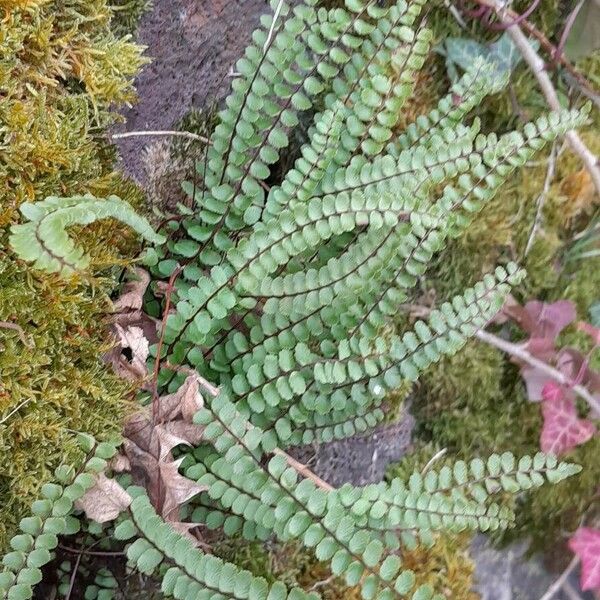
[(45, 240)]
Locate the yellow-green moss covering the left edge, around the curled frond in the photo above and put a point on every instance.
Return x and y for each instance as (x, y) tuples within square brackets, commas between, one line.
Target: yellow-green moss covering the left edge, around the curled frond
[(63, 72)]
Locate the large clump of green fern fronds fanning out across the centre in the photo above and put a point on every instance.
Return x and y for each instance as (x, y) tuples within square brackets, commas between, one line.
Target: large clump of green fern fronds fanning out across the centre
[(285, 297)]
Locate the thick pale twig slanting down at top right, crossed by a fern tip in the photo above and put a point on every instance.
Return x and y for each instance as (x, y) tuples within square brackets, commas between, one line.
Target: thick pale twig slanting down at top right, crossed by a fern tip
[(538, 68)]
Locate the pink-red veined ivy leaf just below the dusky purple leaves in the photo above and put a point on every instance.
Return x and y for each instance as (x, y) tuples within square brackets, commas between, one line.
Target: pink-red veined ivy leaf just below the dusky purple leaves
[(562, 429)]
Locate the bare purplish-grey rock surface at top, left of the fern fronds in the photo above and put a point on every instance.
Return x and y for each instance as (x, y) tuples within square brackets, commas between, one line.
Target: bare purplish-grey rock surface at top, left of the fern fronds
[(193, 44)]
